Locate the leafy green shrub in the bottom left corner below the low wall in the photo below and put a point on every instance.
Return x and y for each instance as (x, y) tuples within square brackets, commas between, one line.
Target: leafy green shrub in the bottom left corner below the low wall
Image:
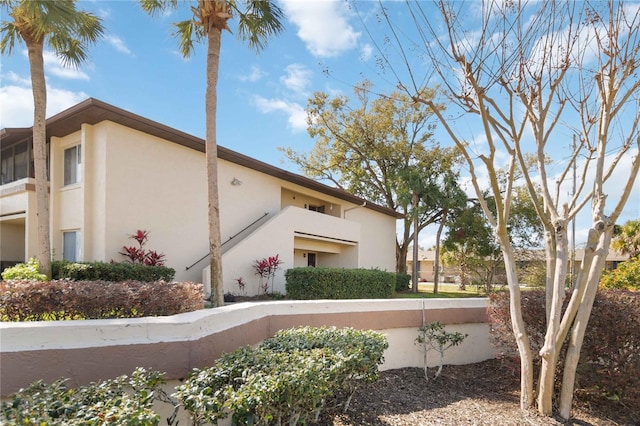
[(121, 401)]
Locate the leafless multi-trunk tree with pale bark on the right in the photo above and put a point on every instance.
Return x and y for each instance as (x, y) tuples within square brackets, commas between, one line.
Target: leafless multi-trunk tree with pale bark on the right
[(527, 72)]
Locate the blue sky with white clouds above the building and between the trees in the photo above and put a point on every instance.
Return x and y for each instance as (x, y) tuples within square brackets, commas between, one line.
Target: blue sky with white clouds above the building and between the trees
[(261, 97)]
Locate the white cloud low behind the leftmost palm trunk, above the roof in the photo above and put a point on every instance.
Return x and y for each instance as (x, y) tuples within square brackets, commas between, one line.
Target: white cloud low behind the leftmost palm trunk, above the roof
[(16, 102)]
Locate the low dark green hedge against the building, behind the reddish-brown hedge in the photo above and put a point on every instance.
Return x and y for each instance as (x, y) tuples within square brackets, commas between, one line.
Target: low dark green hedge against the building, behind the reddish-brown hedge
[(102, 271)]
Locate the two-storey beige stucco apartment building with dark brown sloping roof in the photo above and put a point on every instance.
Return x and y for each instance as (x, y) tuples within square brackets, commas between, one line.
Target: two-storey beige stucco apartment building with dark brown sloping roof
[(113, 172)]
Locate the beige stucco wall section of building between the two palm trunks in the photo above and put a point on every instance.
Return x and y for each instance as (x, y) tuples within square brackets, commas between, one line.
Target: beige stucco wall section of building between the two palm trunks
[(131, 181)]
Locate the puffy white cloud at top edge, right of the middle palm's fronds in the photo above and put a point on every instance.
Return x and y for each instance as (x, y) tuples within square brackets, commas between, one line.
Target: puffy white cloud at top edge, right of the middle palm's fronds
[(322, 25)]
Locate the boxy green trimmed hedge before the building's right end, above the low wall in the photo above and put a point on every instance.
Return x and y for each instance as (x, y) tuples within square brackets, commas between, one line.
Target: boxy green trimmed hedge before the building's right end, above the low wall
[(337, 283)]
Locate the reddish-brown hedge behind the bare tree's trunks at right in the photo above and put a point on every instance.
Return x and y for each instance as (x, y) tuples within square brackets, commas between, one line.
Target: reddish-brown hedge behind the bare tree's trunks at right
[(609, 366)]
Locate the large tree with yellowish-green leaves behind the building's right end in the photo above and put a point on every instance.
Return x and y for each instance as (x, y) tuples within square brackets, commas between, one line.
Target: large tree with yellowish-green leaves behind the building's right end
[(381, 150)]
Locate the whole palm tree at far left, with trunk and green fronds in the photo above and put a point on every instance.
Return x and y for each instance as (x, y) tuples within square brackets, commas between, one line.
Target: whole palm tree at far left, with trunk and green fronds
[(68, 32)]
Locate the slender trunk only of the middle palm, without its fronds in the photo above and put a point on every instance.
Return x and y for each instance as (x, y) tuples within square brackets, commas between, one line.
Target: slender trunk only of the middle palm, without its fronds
[(211, 148)]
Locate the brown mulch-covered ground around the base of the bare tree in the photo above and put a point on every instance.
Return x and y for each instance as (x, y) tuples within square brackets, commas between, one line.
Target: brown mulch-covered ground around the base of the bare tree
[(484, 393)]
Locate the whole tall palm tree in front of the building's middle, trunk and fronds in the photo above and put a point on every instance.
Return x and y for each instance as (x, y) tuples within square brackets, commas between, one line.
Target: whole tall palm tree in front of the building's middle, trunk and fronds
[(257, 21)]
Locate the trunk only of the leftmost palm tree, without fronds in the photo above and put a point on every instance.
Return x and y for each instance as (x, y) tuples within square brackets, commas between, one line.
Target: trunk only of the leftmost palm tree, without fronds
[(39, 89)]
